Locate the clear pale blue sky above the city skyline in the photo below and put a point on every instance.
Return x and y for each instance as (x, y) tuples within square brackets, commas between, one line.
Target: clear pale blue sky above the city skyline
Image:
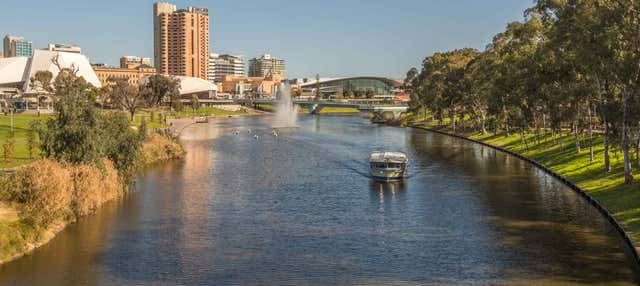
[(333, 38)]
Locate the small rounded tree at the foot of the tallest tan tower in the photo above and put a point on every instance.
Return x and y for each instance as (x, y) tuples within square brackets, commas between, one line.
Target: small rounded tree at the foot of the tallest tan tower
[(160, 88)]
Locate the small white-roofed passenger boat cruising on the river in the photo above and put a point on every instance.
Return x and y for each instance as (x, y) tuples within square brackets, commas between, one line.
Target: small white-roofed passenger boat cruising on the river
[(388, 166)]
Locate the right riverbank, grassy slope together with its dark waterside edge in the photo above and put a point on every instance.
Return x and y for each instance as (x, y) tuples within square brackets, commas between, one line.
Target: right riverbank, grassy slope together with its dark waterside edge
[(608, 190)]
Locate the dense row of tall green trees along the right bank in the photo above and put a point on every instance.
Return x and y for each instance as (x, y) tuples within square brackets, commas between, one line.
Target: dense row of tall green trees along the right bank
[(568, 67)]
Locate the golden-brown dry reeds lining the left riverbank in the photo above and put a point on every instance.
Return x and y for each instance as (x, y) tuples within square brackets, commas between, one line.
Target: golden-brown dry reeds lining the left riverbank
[(39, 199)]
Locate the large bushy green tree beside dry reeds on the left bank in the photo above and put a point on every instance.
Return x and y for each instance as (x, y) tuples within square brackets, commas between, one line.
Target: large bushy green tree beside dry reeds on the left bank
[(81, 134)]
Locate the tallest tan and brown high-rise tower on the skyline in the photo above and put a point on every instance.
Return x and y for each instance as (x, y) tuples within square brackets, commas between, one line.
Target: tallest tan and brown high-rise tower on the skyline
[(181, 40)]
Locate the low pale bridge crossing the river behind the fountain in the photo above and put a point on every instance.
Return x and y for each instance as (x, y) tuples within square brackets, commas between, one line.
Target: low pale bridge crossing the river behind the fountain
[(315, 106)]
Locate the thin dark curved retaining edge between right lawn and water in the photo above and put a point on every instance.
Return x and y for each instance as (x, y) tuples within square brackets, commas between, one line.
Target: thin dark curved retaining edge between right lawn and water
[(625, 236)]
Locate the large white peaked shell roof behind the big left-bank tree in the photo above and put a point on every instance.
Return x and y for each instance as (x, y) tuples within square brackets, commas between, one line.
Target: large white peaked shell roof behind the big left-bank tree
[(42, 61)]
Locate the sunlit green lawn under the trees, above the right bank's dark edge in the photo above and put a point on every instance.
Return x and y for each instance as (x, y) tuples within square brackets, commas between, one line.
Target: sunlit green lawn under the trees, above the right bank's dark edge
[(609, 188)]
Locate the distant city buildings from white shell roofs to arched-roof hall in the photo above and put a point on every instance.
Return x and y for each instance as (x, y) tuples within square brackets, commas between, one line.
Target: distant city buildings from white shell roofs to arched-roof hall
[(181, 49)]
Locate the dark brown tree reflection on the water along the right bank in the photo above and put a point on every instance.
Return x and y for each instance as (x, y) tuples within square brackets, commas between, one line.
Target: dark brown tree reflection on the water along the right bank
[(535, 216)]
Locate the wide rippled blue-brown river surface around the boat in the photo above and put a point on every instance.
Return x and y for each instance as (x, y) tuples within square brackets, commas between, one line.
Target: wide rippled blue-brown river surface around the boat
[(300, 209)]
